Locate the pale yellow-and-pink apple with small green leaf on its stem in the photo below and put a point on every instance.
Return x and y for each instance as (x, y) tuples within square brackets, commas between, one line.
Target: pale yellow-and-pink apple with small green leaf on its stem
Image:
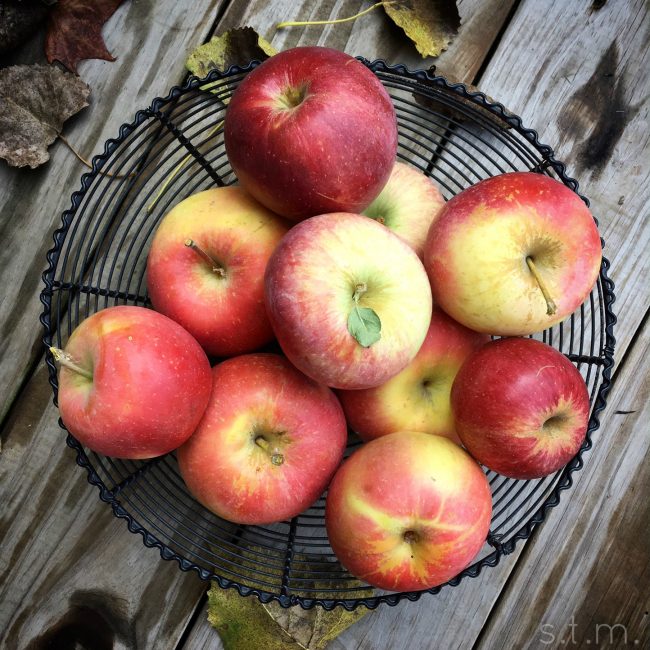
[(349, 301)]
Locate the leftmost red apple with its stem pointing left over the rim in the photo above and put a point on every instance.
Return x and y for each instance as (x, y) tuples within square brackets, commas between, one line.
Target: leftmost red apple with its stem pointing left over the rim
[(132, 383)]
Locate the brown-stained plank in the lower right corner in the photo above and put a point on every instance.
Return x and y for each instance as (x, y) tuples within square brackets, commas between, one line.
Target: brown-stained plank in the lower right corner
[(585, 574)]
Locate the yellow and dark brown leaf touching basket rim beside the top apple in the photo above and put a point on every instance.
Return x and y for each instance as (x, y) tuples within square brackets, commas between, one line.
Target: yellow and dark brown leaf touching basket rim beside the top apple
[(235, 47)]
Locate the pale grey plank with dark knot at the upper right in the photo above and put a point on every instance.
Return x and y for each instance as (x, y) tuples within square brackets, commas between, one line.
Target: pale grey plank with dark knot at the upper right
[(583, 87)]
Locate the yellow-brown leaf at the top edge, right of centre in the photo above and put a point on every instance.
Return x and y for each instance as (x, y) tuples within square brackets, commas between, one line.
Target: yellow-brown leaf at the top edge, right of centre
[(430, 24)]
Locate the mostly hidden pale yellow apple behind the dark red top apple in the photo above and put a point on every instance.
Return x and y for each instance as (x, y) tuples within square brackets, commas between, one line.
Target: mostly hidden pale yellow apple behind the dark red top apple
[(408, 204)]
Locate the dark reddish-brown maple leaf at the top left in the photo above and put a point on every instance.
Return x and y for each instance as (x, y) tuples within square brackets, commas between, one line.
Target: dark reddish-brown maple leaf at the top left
[(74, 31)]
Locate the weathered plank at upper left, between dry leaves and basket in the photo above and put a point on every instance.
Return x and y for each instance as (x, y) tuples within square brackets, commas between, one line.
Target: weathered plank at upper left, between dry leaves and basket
[(150, 41)]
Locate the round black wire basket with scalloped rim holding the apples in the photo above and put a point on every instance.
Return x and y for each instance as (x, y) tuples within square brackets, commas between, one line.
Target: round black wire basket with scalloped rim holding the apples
[(175, 148)]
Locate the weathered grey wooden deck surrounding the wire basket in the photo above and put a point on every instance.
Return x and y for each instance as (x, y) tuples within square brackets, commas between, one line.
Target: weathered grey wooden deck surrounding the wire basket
[(577, 72)]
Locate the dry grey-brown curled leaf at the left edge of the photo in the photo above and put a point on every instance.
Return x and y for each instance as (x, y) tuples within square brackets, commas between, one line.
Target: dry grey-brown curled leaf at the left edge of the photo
[(36, 100)]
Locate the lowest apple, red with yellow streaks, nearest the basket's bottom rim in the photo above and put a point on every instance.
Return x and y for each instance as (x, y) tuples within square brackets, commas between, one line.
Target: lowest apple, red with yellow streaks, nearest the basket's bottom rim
[(408, 511)]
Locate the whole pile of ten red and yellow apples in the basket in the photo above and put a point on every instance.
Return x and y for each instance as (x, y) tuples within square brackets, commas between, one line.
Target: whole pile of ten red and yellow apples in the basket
[(337, 252)]
